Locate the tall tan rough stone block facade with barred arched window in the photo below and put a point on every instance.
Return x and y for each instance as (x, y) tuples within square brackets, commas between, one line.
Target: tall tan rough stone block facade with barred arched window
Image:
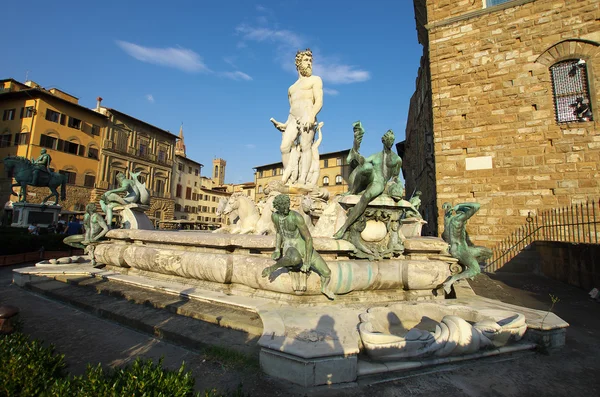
[(496, 137)]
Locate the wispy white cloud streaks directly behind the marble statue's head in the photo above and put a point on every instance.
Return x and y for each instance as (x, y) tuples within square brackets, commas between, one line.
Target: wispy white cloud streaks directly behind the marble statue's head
[(330, 69)]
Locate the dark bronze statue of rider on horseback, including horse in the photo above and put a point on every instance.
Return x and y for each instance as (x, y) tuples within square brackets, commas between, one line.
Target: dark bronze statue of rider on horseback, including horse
[(35, 172)]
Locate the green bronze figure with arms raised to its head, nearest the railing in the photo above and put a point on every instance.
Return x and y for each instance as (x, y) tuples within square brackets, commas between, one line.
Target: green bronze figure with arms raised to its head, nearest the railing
[(455, 234)]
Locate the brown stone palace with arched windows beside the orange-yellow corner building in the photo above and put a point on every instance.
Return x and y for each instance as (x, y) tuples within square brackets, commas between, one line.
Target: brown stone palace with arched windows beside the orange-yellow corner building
[(133, 145)]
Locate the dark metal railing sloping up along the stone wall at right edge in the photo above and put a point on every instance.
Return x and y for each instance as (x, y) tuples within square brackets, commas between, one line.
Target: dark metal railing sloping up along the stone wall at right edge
[(578, 223)]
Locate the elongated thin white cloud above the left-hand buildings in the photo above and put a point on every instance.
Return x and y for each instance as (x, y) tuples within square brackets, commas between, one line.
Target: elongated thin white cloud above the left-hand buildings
[(179, 58)]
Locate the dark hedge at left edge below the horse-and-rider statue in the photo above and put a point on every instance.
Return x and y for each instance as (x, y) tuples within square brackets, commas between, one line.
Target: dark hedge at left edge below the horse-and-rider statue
[(17, 240)]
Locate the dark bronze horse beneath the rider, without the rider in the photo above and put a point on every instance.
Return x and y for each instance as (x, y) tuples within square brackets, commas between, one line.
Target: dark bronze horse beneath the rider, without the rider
[(21, 169)]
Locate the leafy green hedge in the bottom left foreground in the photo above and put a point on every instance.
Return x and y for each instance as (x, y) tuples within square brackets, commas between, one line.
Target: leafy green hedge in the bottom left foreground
[(27, 368)]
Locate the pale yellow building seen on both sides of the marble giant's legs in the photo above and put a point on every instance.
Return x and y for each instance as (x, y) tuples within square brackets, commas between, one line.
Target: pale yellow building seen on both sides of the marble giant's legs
[(333, 173)]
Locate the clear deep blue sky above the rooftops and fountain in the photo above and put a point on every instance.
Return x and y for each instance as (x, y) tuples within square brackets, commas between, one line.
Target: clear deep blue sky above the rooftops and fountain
[(223, 67)]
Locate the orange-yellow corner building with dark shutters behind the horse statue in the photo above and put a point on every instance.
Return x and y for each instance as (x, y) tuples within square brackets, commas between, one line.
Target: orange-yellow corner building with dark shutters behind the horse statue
[(34, 118)]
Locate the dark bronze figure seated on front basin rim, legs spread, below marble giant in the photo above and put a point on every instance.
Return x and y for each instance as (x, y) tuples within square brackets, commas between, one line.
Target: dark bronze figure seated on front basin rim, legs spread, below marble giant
[(294, 245)]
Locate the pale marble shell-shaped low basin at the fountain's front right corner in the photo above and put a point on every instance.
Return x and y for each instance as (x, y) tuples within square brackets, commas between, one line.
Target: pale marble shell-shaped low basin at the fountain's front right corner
[(410, 330)]
